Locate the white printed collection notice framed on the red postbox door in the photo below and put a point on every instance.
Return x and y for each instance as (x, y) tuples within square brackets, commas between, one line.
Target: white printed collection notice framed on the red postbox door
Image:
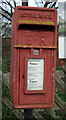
[(35, 77)]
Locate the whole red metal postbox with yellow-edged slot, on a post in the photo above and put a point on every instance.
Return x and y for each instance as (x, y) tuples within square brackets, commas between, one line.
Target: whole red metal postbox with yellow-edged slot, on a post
[(33, 57)]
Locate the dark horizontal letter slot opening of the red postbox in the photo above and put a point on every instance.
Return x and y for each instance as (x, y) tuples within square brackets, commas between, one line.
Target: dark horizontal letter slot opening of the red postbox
[(37, 27)]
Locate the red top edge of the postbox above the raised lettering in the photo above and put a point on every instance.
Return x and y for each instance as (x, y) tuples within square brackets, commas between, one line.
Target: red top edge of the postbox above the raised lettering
[(35, 8)]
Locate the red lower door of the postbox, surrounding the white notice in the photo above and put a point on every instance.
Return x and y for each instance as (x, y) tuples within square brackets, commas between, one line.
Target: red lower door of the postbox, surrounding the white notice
[(40, 91)]
